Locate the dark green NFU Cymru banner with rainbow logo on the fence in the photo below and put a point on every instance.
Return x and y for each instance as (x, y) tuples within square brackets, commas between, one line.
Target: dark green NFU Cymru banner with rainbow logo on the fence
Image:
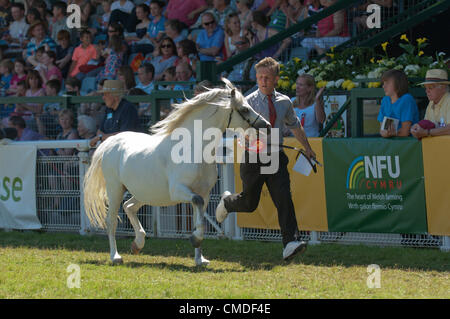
[(375, 187)]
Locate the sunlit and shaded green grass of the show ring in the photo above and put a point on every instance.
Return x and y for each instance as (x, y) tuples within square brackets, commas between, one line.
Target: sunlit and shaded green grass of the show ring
[(34, 265)]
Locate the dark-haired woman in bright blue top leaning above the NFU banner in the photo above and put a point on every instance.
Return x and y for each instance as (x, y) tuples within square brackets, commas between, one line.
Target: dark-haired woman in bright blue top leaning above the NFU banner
[(398, 104)]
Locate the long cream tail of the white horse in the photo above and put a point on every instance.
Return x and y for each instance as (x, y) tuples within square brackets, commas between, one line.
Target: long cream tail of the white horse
[(95, 198)]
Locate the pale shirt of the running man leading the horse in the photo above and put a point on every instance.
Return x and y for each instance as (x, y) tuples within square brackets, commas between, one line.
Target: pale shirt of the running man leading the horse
[(286, 116)]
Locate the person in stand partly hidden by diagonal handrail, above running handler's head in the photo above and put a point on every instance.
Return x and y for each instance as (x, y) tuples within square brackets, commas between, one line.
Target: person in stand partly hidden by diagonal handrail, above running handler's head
[(262, 31)]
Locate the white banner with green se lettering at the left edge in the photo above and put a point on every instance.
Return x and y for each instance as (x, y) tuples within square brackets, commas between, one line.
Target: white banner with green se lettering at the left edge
[(18, 187)]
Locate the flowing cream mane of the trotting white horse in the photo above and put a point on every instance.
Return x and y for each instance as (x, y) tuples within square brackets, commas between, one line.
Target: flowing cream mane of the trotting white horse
[(217, 97)]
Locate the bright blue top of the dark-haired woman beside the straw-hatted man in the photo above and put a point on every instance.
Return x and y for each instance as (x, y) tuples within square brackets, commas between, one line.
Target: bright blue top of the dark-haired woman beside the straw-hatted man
[(404, 109)]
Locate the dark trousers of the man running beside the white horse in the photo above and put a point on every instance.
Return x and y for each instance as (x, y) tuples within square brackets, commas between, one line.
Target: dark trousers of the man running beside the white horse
[(279, 187)]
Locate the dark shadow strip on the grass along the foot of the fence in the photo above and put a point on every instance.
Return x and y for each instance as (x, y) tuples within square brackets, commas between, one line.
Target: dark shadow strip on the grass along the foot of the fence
[(250, 255)]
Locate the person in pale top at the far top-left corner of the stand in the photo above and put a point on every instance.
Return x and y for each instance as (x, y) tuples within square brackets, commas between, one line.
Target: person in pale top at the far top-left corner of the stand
[(16, 37)]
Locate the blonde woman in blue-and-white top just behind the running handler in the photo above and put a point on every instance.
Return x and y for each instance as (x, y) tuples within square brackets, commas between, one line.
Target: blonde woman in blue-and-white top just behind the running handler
[(308, 105)]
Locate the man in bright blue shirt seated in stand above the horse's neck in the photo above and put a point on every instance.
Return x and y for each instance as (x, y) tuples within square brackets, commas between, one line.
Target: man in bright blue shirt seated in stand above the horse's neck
[(210, 39)]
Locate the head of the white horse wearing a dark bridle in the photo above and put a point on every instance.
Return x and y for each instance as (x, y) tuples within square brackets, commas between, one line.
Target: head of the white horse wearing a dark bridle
[(242, 114)]
